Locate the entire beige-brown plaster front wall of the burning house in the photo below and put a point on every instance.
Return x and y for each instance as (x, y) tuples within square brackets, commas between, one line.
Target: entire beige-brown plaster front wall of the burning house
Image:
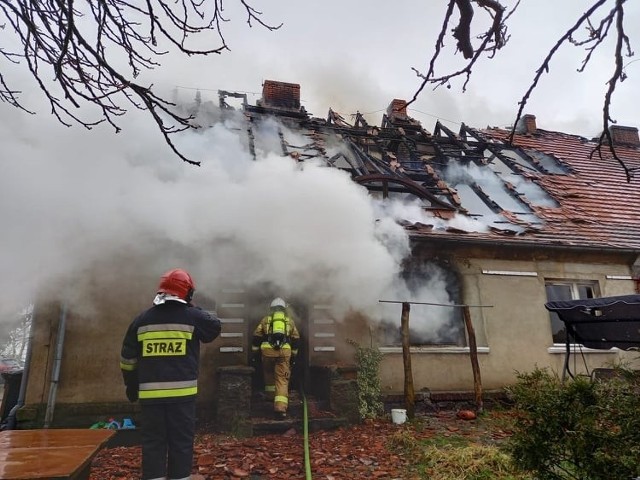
[(513, 332)]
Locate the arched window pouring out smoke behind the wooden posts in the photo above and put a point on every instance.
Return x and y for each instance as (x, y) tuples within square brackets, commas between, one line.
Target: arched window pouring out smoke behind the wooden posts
[(434, 324)]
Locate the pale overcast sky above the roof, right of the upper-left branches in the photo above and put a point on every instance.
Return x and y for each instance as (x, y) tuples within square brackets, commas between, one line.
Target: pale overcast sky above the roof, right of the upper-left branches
[(352, 59)]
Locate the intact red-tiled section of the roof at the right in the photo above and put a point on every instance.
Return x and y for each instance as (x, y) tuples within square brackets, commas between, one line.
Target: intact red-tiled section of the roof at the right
[(597, 207)]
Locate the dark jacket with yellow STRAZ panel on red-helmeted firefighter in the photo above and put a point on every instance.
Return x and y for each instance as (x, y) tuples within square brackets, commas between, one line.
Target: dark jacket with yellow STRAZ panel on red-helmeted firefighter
[(161, 349)]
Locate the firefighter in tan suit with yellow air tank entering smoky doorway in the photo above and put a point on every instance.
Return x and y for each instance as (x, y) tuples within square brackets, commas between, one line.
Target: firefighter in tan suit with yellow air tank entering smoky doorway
[(276, 340)]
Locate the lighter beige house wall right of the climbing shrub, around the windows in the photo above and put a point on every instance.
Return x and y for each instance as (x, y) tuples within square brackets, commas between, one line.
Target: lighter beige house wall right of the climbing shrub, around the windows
[(513, 333)]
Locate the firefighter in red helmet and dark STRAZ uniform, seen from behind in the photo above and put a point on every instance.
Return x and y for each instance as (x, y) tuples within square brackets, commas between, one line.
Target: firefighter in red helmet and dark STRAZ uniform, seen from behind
[(159, 363)]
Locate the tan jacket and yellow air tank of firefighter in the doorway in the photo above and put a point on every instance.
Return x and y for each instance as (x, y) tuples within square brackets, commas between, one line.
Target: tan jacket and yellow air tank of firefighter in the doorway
[(276, 331)]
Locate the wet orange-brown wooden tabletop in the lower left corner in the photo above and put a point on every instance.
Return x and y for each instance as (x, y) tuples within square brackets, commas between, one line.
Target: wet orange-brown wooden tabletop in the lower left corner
[(50, 454)]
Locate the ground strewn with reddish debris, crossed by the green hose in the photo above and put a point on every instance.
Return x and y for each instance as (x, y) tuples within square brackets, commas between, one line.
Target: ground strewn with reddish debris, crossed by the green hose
[(356, 452)]
